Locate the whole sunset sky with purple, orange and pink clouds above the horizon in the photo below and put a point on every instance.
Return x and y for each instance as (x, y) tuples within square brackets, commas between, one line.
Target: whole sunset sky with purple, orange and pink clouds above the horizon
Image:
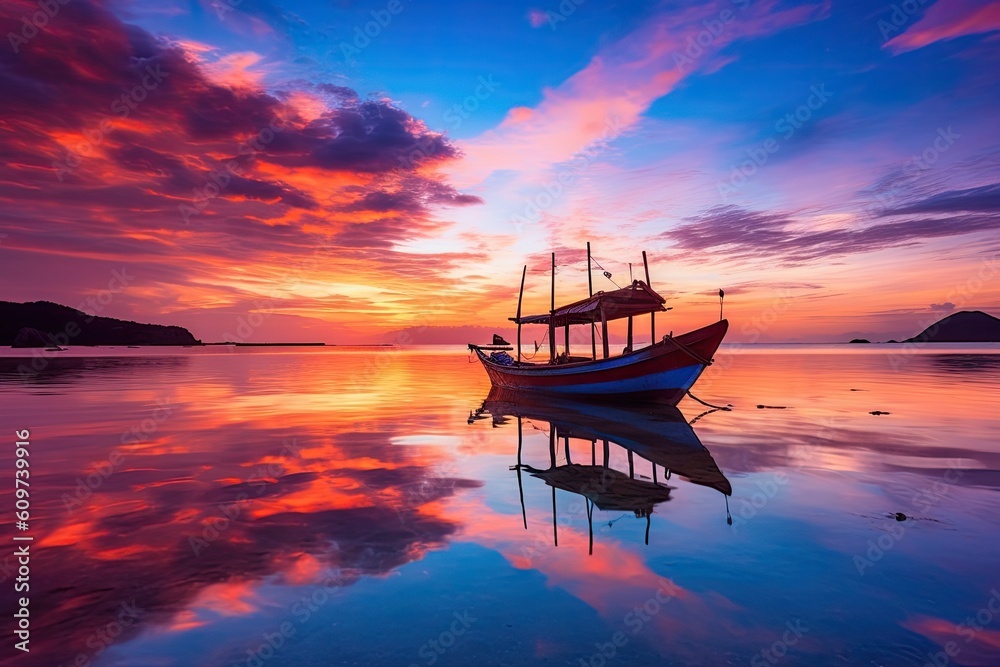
[(343, 171)]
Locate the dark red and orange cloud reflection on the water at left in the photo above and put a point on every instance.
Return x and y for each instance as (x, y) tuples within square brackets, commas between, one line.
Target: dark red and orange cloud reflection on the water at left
[(208, 502)]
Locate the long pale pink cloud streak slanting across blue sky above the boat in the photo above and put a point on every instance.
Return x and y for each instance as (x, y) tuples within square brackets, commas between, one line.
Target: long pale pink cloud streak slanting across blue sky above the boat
[(609, 95)]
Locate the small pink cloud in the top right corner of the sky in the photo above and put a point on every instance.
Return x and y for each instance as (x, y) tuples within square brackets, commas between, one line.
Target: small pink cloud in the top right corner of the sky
[(948, 20)]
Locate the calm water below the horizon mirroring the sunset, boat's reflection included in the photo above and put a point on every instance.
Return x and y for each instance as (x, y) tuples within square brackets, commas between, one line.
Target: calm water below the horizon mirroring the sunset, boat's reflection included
[(339, 507)]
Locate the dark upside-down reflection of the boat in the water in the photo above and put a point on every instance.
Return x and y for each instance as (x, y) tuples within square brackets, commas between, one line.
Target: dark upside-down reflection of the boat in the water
[(657, 439)]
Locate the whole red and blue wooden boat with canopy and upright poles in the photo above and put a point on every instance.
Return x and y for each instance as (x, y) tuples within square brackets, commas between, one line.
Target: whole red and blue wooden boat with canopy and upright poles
[(664, 370)]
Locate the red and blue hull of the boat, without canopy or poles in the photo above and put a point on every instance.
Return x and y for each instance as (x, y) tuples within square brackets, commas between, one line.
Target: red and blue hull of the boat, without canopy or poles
[(664, 371)]
